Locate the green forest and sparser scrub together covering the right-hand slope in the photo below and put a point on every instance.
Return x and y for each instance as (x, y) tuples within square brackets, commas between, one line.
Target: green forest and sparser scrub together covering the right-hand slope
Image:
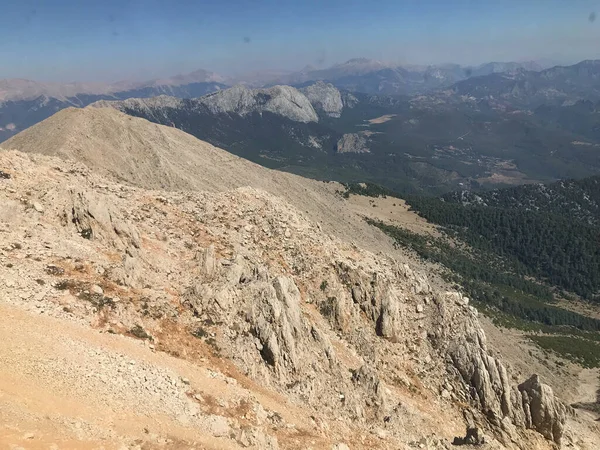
[(514, 251)]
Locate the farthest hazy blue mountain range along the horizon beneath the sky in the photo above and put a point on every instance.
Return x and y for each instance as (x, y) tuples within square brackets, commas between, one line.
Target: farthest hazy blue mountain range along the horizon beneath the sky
[(25, 102)]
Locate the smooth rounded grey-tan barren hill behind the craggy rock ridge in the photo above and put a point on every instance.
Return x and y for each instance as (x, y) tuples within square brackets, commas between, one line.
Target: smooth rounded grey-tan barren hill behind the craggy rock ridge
[(140, 153)]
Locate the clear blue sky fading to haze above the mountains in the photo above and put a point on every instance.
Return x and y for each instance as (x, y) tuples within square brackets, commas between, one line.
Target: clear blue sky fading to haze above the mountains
[(110, 40)]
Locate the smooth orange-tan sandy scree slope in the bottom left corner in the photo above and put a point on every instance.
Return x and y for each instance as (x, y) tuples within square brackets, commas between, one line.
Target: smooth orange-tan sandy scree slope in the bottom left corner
[(64, 385)]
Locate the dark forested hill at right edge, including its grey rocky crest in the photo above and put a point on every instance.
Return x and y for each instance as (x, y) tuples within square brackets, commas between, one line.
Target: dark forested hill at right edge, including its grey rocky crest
[(549, 232)]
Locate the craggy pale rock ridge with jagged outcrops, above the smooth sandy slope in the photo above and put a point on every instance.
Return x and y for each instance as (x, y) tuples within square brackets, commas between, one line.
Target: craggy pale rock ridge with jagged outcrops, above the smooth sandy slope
[(367, 345)]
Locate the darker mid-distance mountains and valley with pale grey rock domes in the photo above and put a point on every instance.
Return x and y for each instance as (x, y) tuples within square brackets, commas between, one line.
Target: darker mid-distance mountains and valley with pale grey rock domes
[(415, 144)]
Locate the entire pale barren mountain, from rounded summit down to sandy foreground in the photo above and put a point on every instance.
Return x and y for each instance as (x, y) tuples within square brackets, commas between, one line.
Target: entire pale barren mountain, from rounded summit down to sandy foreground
[(169, 295)]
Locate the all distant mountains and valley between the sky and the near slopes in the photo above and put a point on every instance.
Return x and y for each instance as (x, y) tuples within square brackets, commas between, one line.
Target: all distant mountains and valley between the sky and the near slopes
[(411, 129)]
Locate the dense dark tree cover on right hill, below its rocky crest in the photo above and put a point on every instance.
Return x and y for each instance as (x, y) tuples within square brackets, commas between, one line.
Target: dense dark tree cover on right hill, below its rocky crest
[(562, 252)]
